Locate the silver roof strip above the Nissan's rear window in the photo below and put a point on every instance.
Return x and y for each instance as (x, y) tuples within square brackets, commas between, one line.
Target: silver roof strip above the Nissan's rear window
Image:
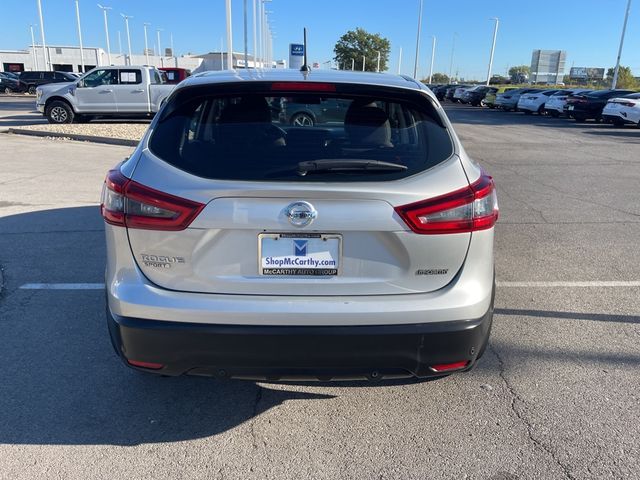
[(291, 75)]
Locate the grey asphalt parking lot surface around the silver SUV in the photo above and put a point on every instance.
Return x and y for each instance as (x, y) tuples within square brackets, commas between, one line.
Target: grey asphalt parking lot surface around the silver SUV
[(555, 396)]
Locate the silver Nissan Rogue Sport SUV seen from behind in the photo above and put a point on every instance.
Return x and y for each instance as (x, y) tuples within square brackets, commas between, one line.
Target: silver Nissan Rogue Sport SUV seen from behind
[(239, 246)]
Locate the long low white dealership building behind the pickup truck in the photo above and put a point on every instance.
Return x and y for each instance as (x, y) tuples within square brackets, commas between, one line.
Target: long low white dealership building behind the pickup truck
[(68, 59)]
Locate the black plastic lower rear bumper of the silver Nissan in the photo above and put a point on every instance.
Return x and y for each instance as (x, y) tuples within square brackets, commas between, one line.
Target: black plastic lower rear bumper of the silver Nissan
[(295, 352)]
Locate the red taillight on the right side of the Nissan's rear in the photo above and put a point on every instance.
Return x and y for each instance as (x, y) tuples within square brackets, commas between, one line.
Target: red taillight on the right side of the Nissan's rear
[(466, 210)]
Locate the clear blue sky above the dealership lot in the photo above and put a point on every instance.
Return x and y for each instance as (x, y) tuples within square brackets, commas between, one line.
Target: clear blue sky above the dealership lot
[(589, 30)]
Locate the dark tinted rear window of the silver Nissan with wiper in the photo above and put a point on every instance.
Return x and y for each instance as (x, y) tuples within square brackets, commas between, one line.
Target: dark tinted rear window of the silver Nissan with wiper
[(260, 135)]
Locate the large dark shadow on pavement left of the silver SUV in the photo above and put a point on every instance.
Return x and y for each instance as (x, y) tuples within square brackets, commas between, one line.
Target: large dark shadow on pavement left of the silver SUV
[(61, 381)]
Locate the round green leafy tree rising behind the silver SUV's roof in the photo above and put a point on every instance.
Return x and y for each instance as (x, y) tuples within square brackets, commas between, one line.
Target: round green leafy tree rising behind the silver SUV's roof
[(353, 45)]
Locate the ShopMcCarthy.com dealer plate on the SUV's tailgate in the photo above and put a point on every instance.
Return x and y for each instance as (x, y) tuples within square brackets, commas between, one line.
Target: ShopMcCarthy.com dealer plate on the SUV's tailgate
[(299, 254)]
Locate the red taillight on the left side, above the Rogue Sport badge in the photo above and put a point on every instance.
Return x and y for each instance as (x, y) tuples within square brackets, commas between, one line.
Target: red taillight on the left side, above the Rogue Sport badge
[(129, 204)]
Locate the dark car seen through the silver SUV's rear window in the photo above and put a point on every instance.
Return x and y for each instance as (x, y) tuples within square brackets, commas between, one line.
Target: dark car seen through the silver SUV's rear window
[(329, 110)]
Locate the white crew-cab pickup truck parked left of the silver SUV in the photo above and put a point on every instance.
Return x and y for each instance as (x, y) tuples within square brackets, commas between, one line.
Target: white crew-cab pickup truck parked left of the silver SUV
[(114, 92)]
